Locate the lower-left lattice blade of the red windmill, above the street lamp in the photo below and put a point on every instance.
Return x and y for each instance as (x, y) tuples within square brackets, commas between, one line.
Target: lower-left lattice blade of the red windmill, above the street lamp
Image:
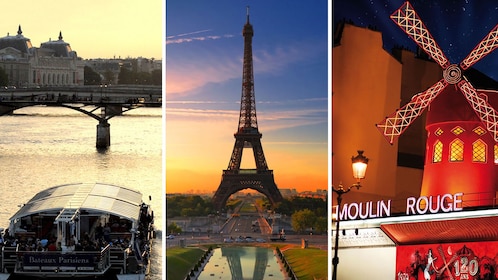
[(399, 121)]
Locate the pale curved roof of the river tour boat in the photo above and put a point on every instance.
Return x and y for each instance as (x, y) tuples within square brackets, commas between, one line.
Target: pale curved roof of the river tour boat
[(91, 198)]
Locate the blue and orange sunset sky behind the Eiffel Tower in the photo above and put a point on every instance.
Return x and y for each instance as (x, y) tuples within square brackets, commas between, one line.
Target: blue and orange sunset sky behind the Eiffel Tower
[(204, 50)]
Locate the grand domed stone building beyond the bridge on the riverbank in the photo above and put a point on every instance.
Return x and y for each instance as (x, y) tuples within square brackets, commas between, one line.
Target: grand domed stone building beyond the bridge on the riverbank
[(54, 63)]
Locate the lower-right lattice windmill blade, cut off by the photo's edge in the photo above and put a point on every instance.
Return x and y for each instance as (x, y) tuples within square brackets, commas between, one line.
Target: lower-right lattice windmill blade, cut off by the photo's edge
[(486, 112)]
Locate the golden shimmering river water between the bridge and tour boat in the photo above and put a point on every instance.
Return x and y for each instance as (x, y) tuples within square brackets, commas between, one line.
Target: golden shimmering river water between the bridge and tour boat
[(42, 147)]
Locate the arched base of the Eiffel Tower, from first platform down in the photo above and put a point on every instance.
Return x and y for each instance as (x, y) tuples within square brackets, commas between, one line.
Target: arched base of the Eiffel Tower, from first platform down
[(232, 183)]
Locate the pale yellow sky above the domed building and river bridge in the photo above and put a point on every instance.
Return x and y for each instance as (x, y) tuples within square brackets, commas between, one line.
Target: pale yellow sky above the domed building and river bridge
[(94, 28)]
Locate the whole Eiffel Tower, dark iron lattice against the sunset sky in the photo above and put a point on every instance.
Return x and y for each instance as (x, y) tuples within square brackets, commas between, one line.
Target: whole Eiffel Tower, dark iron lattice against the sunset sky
[(235, 179)]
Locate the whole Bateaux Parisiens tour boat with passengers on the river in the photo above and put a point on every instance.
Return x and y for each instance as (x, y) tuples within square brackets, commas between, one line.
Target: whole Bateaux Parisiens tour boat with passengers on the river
[(79, 230)]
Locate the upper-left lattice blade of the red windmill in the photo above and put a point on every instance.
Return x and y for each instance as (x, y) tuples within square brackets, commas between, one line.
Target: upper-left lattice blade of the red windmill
[(406, 18)]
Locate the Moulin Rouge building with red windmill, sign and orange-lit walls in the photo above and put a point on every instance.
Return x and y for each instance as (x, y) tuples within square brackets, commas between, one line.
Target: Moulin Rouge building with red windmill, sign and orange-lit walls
[(427, 208)]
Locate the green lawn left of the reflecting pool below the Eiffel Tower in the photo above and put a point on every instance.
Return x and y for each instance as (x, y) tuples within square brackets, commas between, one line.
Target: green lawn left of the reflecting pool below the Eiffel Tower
[(179, 261)]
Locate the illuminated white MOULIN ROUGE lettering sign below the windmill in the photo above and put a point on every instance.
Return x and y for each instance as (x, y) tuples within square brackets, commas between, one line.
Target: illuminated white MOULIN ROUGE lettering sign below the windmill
[(414, 206)]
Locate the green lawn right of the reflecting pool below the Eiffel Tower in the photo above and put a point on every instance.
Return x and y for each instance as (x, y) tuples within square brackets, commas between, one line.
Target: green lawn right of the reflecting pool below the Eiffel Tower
[(308, 264)]
